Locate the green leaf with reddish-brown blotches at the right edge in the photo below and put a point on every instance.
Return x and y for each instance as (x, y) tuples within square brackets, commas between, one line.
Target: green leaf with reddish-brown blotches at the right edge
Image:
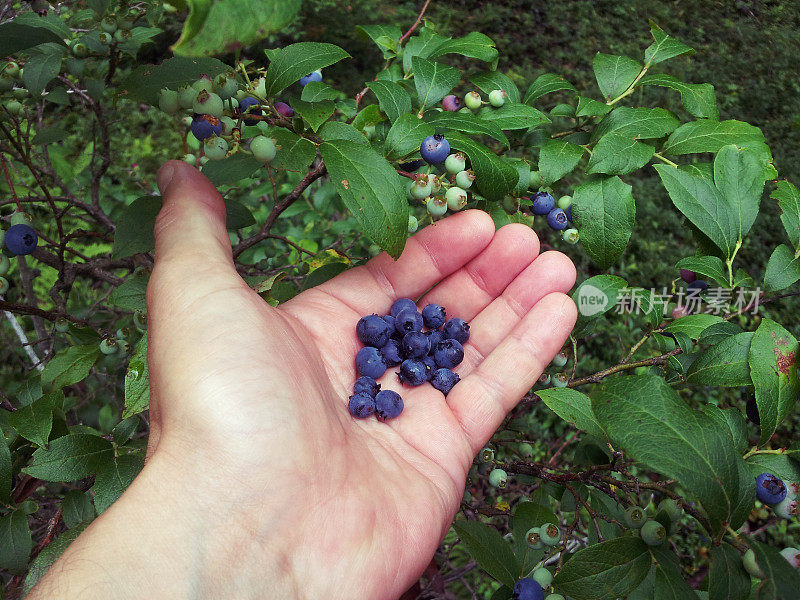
[(773, 355)]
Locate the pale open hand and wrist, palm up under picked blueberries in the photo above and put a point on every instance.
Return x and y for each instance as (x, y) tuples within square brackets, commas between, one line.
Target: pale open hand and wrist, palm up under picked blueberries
[(258, 482)]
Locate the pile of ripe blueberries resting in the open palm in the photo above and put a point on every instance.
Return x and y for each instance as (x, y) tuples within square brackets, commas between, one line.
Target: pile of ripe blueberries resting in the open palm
[(427, 347)]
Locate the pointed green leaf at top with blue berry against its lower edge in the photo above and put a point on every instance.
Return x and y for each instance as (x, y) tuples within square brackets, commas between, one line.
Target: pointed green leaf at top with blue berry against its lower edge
[(294, 61)]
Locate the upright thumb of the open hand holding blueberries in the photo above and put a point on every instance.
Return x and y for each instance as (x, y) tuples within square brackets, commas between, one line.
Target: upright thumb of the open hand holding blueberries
[(190, 228)]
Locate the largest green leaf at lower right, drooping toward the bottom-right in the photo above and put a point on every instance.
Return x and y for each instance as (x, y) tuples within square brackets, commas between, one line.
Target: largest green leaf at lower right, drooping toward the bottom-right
[(651, 423)]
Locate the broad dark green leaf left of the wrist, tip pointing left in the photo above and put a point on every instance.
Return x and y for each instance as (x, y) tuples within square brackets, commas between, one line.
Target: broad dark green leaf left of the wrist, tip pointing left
[(70, 457)]
